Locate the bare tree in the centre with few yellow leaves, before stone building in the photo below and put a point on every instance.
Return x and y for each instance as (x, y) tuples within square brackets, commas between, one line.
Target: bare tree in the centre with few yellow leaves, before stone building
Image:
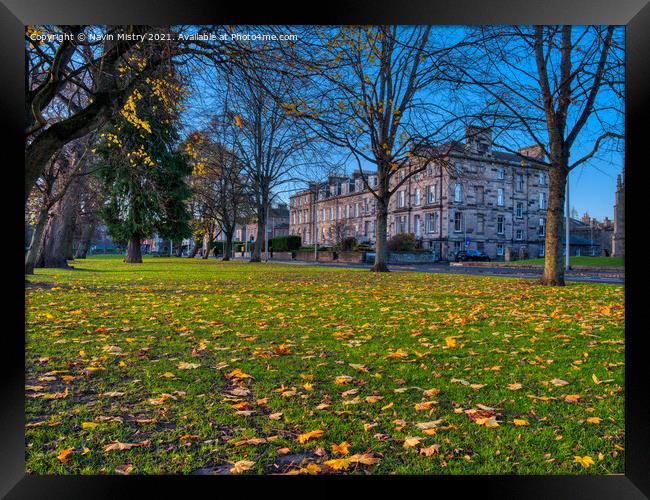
[(374, 92)]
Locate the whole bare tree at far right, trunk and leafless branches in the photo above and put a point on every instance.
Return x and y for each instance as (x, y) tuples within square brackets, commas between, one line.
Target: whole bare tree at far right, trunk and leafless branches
[(560, 86)]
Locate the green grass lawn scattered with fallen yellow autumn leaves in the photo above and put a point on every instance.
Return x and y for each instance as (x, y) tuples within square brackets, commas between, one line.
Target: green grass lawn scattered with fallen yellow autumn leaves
[(177, 365)]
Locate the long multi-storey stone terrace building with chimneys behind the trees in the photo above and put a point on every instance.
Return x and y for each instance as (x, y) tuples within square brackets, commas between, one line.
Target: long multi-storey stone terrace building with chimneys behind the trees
[(471, 198)]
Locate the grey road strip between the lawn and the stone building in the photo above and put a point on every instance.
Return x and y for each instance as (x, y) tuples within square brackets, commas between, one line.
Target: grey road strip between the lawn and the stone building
[(610, 277)]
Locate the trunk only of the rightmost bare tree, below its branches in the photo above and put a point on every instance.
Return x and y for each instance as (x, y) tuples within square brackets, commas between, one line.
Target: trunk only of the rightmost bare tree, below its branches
[(553, 259)]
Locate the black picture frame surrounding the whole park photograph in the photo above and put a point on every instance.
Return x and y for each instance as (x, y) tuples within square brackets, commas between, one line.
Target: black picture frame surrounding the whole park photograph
[(15, 14)]
